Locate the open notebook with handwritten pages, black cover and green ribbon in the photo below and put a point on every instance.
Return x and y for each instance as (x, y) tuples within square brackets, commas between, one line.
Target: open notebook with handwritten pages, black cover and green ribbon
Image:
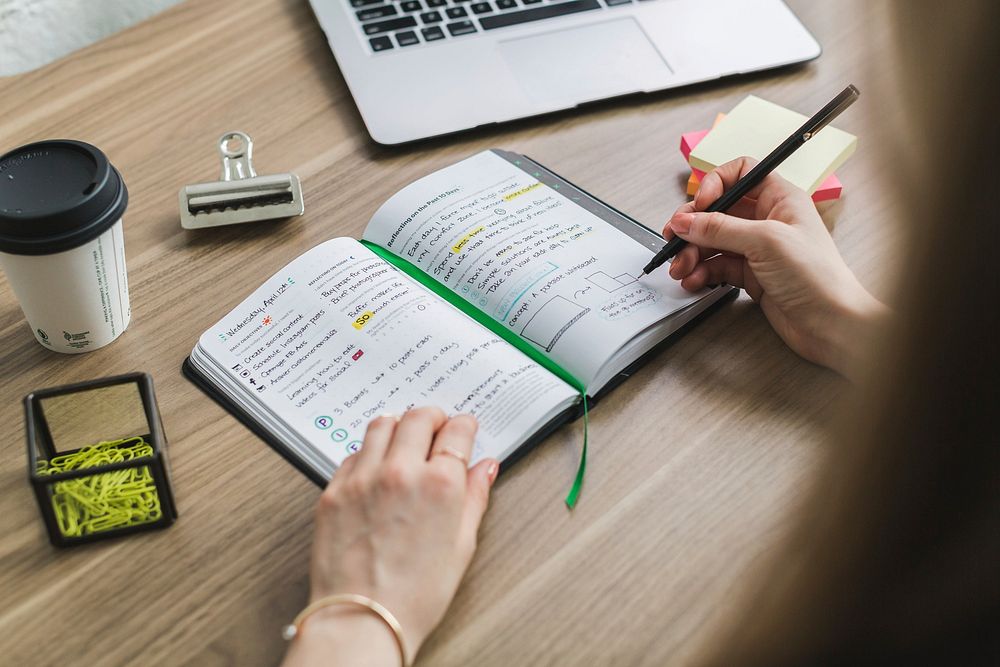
[(491, 287)]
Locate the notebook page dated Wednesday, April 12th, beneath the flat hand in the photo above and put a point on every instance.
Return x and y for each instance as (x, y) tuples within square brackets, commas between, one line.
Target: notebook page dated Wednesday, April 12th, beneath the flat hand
[(339, 337)]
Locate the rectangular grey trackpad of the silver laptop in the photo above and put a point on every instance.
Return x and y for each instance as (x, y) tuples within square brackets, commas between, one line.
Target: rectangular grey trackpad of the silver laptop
[(585, 63)]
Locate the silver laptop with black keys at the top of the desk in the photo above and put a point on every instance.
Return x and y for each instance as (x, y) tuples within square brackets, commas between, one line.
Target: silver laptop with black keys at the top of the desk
[(421, 68)]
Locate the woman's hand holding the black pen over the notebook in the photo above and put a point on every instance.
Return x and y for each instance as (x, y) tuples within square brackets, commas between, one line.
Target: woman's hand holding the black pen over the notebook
[(774, 245)]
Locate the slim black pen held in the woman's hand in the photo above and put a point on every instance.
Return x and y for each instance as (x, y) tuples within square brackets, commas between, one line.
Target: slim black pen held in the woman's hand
[(765, 167)]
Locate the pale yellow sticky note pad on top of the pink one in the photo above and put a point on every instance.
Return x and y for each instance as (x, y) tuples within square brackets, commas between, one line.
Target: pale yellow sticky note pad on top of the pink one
[(755, 127)]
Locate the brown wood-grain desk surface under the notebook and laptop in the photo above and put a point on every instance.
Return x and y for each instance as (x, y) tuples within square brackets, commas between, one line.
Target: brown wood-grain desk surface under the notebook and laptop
[(696, 462)]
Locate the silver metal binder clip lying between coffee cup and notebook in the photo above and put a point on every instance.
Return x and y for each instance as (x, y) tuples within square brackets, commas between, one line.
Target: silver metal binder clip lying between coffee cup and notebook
[(241, 195)]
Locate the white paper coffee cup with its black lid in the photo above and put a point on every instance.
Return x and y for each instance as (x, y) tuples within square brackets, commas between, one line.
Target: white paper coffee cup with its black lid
[(61, 243)]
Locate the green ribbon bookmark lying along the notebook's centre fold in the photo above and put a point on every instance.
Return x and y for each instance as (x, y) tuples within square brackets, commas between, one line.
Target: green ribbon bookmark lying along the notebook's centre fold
[(504, 333)]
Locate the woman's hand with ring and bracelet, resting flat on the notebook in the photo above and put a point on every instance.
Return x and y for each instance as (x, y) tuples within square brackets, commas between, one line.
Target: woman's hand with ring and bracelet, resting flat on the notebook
[(398, 524)]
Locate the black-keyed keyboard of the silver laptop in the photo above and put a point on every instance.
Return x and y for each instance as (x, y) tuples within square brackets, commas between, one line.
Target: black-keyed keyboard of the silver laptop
[(393, 24)]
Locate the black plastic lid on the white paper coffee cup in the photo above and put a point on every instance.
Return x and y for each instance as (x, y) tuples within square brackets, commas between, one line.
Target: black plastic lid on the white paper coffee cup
[(57, 195)]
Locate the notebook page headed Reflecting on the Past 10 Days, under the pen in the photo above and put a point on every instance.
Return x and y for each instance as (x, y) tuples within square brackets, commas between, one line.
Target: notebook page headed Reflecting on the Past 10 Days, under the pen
[(553, 273)]
